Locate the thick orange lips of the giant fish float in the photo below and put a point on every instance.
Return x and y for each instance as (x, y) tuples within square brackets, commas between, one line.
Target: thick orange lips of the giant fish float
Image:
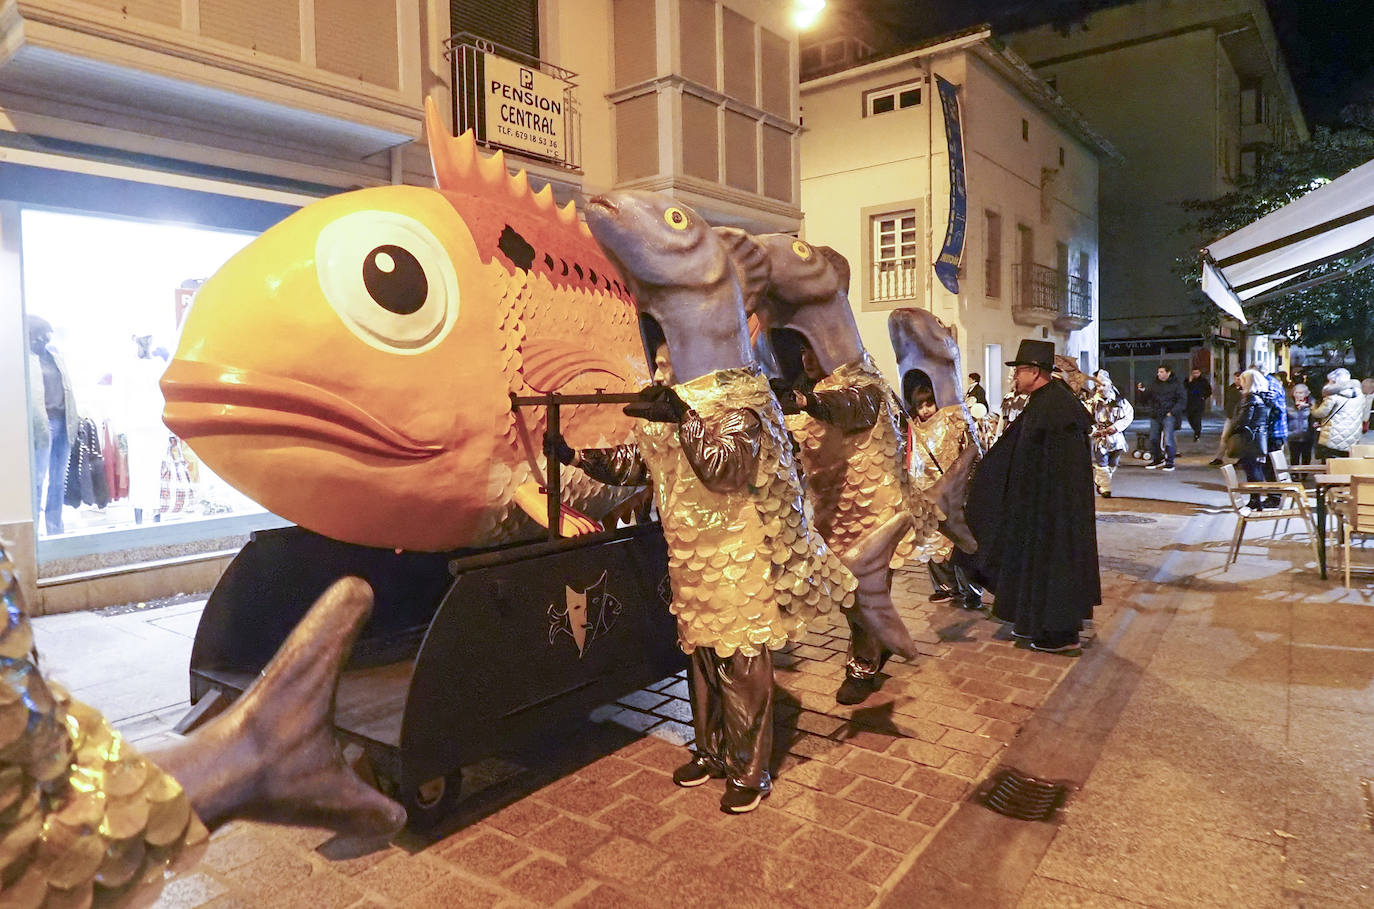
[(204, 399)]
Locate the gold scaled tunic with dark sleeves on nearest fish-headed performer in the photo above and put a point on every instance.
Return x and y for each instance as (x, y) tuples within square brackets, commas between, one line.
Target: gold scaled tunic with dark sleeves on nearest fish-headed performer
[(748, 575)]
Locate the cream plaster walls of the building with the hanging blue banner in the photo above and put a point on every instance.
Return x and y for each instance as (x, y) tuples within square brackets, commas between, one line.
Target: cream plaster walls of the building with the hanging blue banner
[(851, 164)]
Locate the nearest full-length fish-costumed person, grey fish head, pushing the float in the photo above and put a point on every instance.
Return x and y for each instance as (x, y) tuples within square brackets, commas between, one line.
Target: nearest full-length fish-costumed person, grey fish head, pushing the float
[(748, 571)]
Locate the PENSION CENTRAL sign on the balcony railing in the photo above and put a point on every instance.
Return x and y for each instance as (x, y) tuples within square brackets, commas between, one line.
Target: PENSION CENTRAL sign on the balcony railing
[(524, 109)]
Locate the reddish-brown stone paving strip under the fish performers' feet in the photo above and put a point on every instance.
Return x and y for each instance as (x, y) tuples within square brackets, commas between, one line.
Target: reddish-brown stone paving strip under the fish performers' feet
[(596, 820)]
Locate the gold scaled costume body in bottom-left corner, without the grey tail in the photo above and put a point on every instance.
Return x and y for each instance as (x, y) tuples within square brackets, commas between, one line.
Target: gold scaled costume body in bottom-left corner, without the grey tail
[(85, 819)]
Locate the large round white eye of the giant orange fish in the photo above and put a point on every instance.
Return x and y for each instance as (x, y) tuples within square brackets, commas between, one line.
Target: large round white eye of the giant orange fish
[(390, 279)]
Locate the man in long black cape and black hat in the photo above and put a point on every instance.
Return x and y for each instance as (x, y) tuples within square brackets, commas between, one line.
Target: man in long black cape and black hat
[(1033, 511)]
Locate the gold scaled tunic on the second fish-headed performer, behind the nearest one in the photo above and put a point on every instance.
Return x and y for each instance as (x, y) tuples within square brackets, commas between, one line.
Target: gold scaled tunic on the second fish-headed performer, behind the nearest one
[(854, 457)]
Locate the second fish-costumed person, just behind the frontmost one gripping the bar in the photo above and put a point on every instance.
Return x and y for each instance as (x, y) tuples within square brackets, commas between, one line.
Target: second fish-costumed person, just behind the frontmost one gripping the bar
[(853, 451)]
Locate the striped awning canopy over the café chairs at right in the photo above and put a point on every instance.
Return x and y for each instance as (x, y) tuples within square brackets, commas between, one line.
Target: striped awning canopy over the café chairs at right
[(1280, 253)]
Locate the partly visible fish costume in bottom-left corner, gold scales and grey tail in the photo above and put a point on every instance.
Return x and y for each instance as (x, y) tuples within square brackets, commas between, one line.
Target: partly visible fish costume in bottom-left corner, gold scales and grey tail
[(87, 820)]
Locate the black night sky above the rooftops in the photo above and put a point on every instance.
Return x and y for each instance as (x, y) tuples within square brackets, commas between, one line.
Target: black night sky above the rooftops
[(1329, 45)]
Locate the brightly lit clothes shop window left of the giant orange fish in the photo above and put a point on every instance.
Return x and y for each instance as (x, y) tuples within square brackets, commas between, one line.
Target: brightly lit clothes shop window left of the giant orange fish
[(101, 338)]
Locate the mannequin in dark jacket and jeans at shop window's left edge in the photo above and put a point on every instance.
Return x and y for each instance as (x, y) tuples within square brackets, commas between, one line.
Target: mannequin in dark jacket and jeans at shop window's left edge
[(52, 387)]
